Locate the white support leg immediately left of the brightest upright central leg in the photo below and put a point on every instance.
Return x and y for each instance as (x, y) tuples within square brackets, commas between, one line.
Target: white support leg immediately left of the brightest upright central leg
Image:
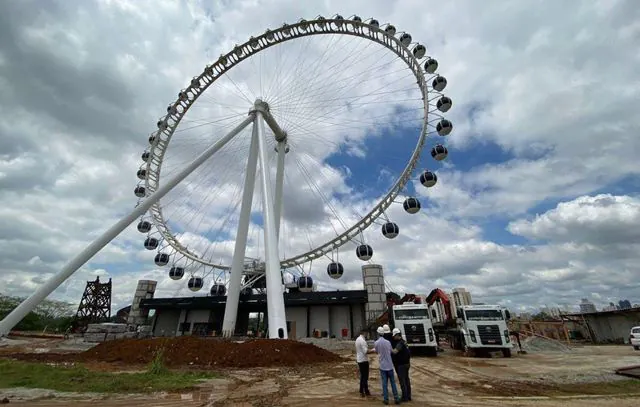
[(237, 264)]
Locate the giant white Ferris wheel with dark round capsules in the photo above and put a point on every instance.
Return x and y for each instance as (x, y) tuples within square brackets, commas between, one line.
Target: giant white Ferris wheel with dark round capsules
[(279, 116)]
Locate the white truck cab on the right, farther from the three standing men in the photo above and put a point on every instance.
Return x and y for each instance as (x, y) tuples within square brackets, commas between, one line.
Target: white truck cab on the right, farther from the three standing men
[(484, 328)]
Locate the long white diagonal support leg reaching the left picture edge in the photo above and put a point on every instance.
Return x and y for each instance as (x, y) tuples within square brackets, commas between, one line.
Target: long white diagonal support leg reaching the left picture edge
[(85, 255)]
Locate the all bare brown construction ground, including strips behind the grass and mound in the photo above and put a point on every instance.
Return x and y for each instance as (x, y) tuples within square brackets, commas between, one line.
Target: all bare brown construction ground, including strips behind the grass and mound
[(550, 374)]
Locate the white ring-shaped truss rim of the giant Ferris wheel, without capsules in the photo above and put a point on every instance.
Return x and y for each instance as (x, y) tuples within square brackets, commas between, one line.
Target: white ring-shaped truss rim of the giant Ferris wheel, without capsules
[(187, 97)]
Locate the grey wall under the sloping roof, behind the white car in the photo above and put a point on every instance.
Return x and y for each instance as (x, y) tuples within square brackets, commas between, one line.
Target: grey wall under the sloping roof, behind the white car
[(613, 326)]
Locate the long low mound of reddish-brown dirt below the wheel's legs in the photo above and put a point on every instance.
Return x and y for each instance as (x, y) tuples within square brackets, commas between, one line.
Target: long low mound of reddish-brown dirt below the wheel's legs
[(209, 352)]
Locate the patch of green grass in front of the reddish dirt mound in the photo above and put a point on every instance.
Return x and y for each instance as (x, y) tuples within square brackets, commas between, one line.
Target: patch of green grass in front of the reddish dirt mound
[(80, 379)]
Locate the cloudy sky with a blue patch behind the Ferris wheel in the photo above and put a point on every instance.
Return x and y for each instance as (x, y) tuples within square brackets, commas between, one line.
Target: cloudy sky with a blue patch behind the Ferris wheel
[(537, 204)]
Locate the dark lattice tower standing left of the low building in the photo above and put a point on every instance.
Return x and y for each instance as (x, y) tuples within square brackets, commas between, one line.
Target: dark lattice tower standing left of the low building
[(95, 305)]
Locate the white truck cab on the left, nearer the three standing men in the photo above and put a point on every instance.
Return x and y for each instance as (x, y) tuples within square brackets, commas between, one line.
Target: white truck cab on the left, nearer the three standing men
[(414, 323)]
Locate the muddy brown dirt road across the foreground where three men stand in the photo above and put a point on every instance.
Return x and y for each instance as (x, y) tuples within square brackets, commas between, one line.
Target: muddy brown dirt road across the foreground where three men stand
[(581, 377)]
